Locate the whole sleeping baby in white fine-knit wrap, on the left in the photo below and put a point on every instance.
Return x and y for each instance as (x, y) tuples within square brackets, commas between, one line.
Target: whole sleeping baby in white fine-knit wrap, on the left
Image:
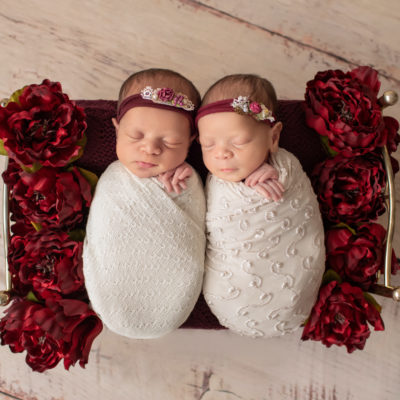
[(144, 247)]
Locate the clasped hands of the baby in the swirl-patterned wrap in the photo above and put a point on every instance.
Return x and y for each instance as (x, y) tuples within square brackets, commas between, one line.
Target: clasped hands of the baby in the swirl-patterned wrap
[(265, 181)]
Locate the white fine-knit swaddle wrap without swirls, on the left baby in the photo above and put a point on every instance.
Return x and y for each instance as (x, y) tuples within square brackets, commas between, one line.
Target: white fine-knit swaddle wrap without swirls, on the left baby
[(143, 255)]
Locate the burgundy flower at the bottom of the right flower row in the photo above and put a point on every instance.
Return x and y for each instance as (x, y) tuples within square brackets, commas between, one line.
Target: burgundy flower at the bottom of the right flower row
[(340, 316)]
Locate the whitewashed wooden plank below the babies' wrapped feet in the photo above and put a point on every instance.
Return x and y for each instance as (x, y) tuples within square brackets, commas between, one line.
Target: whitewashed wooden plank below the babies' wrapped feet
[(188, 364)]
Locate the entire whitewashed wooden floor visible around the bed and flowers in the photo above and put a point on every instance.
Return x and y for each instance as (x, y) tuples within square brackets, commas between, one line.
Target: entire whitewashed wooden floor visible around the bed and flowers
[(91, 46)]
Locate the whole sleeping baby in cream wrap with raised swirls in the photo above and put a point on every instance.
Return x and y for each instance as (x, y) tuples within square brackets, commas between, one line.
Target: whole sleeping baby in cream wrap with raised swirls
[(265, 251)]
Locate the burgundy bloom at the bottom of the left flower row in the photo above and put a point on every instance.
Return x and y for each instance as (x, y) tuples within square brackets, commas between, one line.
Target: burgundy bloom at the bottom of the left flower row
[(60, 328)]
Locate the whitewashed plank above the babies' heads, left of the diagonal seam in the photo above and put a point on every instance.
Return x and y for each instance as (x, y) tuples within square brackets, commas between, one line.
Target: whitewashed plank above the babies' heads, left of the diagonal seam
[(117, 40)]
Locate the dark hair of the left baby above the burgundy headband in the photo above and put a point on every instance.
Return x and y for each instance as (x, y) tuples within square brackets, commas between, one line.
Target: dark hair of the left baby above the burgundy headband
[(159, 78)]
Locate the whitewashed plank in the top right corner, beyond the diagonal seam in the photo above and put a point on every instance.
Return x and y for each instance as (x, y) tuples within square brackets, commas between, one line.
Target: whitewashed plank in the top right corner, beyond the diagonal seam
[(359, 33)]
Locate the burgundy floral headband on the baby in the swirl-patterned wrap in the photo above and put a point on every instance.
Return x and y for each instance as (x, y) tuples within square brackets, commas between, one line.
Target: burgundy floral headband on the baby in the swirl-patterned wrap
[(241, 105)]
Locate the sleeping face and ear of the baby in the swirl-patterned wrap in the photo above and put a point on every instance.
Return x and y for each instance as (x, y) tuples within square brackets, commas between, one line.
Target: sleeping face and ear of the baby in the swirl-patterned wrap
[(234, 145)]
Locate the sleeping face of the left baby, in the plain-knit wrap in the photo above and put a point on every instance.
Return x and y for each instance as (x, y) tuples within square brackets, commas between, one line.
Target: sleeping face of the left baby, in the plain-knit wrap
[(151, 141)]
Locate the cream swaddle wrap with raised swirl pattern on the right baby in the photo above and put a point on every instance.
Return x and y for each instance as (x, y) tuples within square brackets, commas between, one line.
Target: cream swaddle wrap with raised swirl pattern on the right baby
[(264, 259)]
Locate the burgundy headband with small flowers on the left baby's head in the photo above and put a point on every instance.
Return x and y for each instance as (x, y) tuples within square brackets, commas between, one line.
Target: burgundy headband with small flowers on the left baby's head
[(164, 98)]
